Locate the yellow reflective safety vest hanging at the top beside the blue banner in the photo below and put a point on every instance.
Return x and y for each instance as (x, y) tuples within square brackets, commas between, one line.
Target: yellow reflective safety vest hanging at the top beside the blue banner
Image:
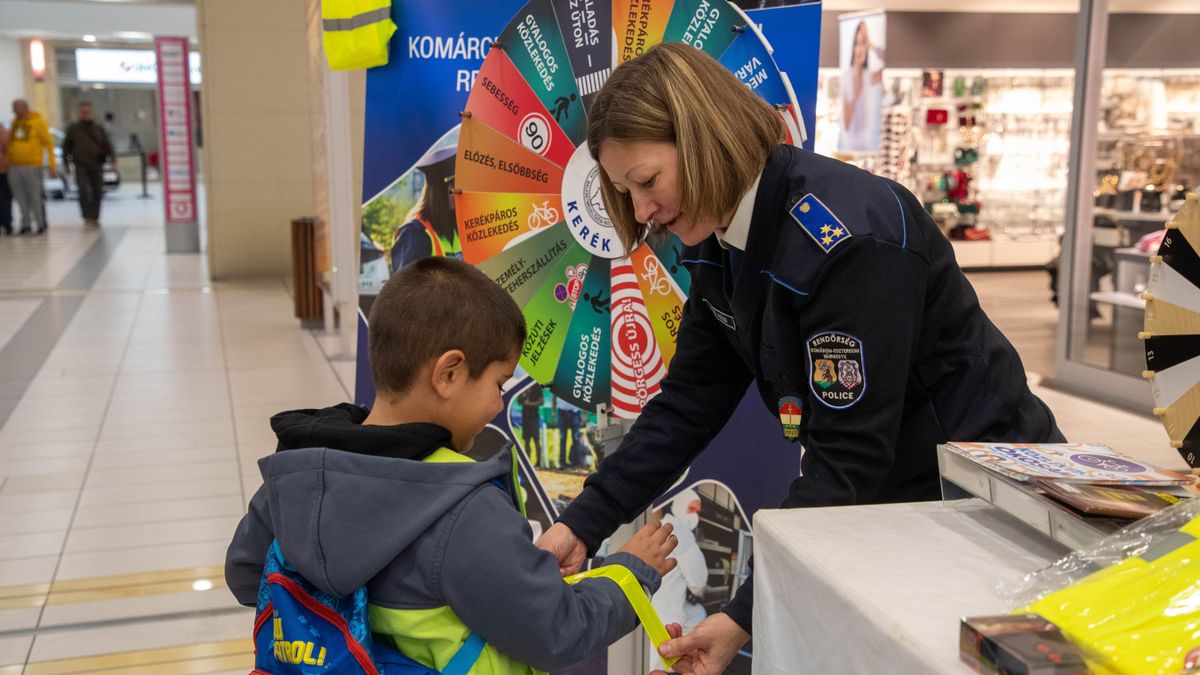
[(357, 33)]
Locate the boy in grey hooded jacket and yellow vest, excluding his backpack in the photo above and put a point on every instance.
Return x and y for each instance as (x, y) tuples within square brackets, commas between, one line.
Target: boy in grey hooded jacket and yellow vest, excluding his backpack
[(386, 500)]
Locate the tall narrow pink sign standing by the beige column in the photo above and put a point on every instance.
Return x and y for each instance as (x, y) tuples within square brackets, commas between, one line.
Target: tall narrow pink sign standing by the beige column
[(178, 157)]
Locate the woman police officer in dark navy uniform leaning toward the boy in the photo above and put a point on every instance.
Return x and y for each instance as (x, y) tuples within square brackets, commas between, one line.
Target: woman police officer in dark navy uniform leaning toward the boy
[(829, 286)]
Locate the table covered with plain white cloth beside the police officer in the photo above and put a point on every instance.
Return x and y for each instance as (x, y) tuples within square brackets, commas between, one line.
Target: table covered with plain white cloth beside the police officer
[(881, 589)]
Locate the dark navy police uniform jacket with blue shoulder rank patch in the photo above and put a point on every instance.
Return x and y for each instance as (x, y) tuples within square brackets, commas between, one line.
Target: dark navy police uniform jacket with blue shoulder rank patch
[(848, 302)]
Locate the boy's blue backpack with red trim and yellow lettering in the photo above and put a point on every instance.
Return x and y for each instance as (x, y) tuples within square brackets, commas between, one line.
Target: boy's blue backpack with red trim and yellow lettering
[(302, 631)]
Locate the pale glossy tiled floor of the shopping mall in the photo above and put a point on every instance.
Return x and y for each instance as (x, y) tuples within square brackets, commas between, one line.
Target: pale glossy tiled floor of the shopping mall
[(134, 404)]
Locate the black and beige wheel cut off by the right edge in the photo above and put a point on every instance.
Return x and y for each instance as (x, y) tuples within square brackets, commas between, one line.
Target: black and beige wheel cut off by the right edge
[(1173, 331)]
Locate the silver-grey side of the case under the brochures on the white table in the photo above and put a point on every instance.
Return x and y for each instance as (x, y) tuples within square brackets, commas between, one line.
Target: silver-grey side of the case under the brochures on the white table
[(1021, 501)]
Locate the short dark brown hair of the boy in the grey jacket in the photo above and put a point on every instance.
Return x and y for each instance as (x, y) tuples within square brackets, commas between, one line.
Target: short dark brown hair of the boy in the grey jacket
[(431, 307)]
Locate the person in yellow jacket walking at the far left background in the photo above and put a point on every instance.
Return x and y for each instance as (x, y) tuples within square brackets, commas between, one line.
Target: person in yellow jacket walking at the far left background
[(29, 142)]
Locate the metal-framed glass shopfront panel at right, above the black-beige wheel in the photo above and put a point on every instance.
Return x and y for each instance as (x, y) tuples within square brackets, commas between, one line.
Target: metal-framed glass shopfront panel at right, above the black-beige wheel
[(1137, 154)]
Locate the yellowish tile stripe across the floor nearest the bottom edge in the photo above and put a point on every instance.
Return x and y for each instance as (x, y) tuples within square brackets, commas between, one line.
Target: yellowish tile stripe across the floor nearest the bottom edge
[(208, 658)]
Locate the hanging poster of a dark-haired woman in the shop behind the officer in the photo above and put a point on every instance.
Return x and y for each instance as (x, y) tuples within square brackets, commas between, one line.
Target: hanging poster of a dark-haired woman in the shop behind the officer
[(863, 44)]
